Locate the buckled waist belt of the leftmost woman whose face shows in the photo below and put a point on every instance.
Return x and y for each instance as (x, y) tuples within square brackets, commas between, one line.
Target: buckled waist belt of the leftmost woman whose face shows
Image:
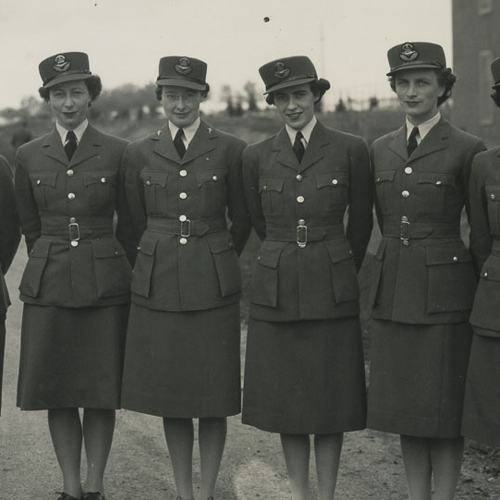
[(76, 228)]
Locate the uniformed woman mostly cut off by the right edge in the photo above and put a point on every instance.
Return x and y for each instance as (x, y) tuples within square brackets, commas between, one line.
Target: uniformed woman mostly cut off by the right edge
[(482, 396)]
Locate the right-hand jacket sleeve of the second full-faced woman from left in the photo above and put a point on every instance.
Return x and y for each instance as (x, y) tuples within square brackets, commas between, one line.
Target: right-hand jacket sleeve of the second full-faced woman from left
[(237, 209)]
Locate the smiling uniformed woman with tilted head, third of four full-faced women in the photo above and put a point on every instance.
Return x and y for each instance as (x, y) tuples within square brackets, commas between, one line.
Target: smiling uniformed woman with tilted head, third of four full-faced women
[(304, 371)]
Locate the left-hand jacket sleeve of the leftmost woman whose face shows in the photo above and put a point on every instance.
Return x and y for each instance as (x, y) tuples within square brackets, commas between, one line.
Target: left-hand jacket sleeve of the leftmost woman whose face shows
[(29, 217)]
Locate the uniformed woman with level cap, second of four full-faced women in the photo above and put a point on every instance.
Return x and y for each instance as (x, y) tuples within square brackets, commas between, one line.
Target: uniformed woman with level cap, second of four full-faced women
[(182, 357)]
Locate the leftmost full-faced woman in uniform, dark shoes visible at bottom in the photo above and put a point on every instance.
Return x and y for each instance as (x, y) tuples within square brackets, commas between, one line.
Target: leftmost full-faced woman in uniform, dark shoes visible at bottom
[(76, 284)]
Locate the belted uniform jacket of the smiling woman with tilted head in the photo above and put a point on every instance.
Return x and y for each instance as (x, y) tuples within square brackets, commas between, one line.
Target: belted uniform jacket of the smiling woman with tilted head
[(317, 280)]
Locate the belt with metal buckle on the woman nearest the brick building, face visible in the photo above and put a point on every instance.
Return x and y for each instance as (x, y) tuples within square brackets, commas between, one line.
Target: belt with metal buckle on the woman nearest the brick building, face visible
[(406, 231)]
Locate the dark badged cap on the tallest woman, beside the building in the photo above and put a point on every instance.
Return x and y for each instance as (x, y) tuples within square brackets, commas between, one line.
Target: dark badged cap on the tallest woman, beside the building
[(416, 55)]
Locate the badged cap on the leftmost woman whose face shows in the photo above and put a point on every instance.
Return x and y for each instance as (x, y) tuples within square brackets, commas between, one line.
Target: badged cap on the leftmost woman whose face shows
[(64, 67)]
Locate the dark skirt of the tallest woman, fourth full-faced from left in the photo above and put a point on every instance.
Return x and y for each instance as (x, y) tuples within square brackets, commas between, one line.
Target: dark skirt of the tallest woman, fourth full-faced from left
[(417, 378)]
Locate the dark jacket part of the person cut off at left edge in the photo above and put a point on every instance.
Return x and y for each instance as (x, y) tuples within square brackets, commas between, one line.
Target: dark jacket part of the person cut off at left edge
[(9, 229)]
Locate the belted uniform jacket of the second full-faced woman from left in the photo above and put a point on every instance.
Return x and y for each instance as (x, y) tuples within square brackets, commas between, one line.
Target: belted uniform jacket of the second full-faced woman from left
[(193, 264)]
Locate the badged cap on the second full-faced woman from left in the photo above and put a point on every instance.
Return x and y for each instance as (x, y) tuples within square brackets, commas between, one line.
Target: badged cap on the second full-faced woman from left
[(182, 72)]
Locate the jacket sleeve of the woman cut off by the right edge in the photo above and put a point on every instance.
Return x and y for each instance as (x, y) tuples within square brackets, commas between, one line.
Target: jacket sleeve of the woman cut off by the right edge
[(480, 237)]
